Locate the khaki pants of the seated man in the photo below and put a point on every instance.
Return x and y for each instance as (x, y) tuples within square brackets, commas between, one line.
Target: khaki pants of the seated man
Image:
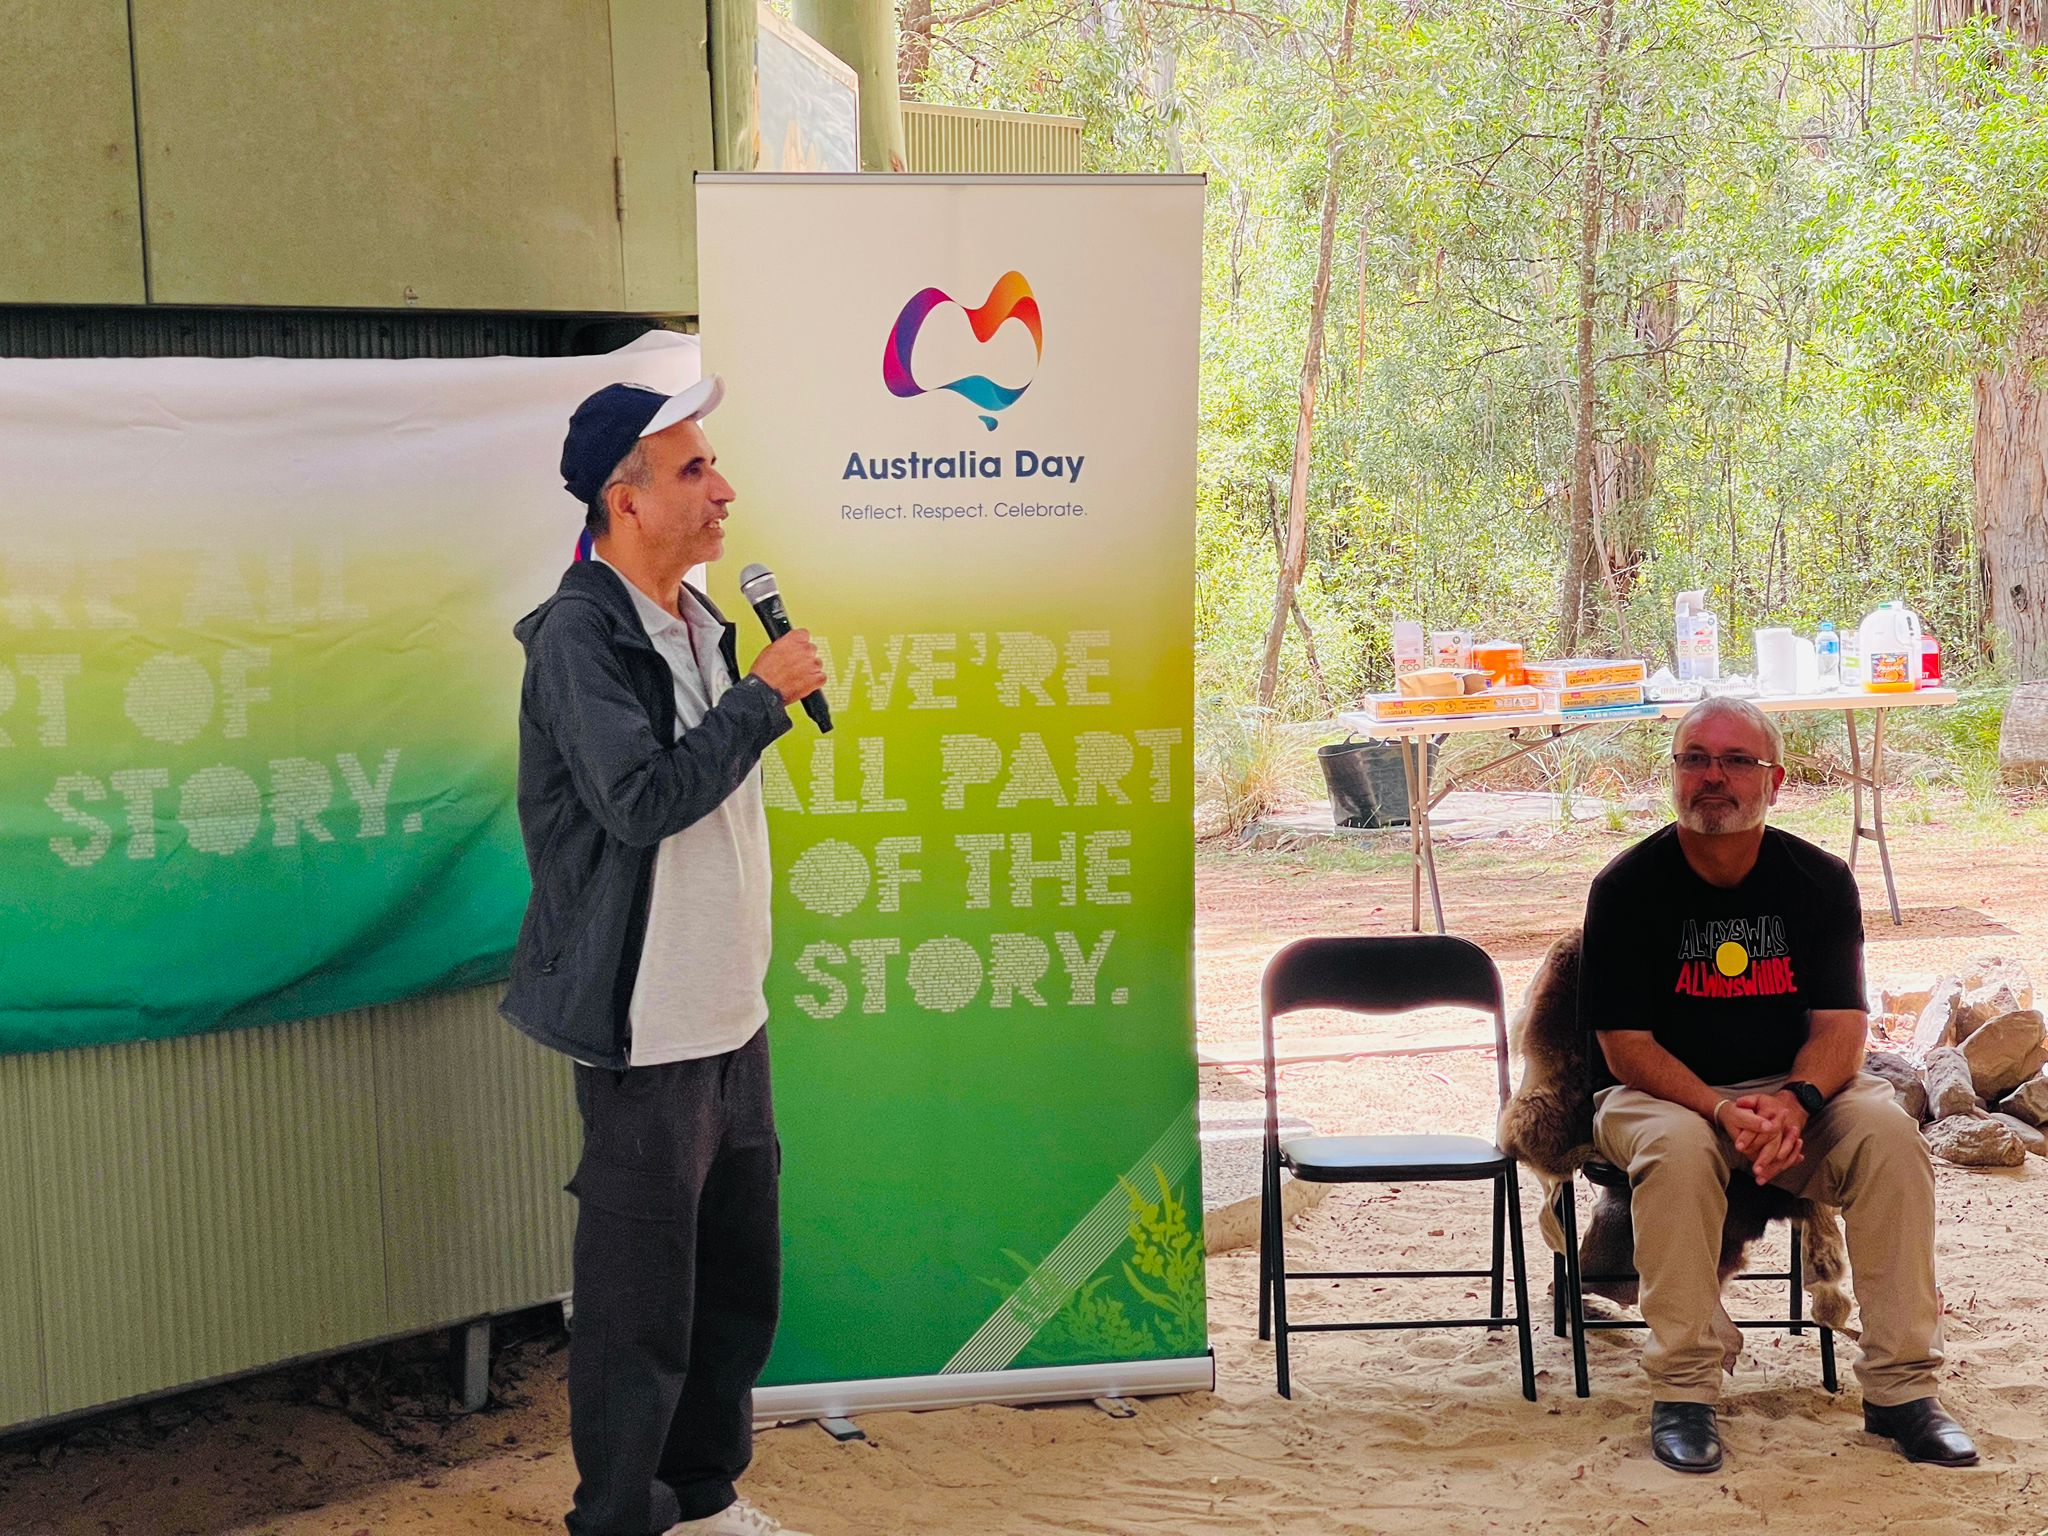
[(1863, 1154)]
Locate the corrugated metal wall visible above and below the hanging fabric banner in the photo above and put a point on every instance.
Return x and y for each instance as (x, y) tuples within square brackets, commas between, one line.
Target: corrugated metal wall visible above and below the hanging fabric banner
[(191, 1209)]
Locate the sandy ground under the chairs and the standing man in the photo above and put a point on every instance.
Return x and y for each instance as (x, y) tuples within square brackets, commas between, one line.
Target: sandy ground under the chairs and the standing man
[(1388, 1433)]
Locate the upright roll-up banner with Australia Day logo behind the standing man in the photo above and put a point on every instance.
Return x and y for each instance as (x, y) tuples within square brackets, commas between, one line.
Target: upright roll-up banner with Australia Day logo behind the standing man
[(962, 423)]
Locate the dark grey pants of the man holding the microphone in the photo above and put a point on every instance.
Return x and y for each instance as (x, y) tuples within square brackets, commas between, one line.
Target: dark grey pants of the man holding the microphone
[(679, 1275)]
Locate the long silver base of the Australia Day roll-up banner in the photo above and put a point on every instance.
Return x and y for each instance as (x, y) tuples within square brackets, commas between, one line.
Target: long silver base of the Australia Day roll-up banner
[(1035, 1385)]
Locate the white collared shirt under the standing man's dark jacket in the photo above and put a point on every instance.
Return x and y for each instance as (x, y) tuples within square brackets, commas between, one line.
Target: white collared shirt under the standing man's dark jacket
[(699, 988)]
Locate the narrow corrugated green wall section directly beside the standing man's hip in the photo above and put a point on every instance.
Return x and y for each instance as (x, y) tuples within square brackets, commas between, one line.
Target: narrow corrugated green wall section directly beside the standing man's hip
[(480, 1134)]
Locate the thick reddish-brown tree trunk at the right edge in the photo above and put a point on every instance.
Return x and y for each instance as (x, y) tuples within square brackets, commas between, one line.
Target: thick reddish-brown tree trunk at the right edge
[(2010, 466)]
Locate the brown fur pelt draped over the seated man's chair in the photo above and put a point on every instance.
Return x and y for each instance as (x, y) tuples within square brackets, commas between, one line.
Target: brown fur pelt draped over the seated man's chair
[(1549, 1125)]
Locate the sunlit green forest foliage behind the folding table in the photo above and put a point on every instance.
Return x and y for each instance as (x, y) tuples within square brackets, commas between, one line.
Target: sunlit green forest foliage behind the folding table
[(1809, 237)]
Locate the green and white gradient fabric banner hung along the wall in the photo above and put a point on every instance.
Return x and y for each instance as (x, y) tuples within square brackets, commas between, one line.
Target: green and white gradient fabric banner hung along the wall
[(259, 685)]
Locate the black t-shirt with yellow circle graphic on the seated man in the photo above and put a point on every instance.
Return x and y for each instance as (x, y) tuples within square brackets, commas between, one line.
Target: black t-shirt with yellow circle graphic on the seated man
[(1723, 978)]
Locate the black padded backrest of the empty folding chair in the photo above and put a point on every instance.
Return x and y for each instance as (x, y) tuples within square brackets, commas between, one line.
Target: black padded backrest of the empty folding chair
[(1383, 976)]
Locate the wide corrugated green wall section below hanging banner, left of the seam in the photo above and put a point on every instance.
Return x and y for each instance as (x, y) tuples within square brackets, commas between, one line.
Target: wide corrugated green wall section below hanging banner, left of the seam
[(204, 1205)]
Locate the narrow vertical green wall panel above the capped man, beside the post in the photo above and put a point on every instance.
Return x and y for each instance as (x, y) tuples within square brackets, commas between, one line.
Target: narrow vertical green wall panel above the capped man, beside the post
[(663, 95)]
